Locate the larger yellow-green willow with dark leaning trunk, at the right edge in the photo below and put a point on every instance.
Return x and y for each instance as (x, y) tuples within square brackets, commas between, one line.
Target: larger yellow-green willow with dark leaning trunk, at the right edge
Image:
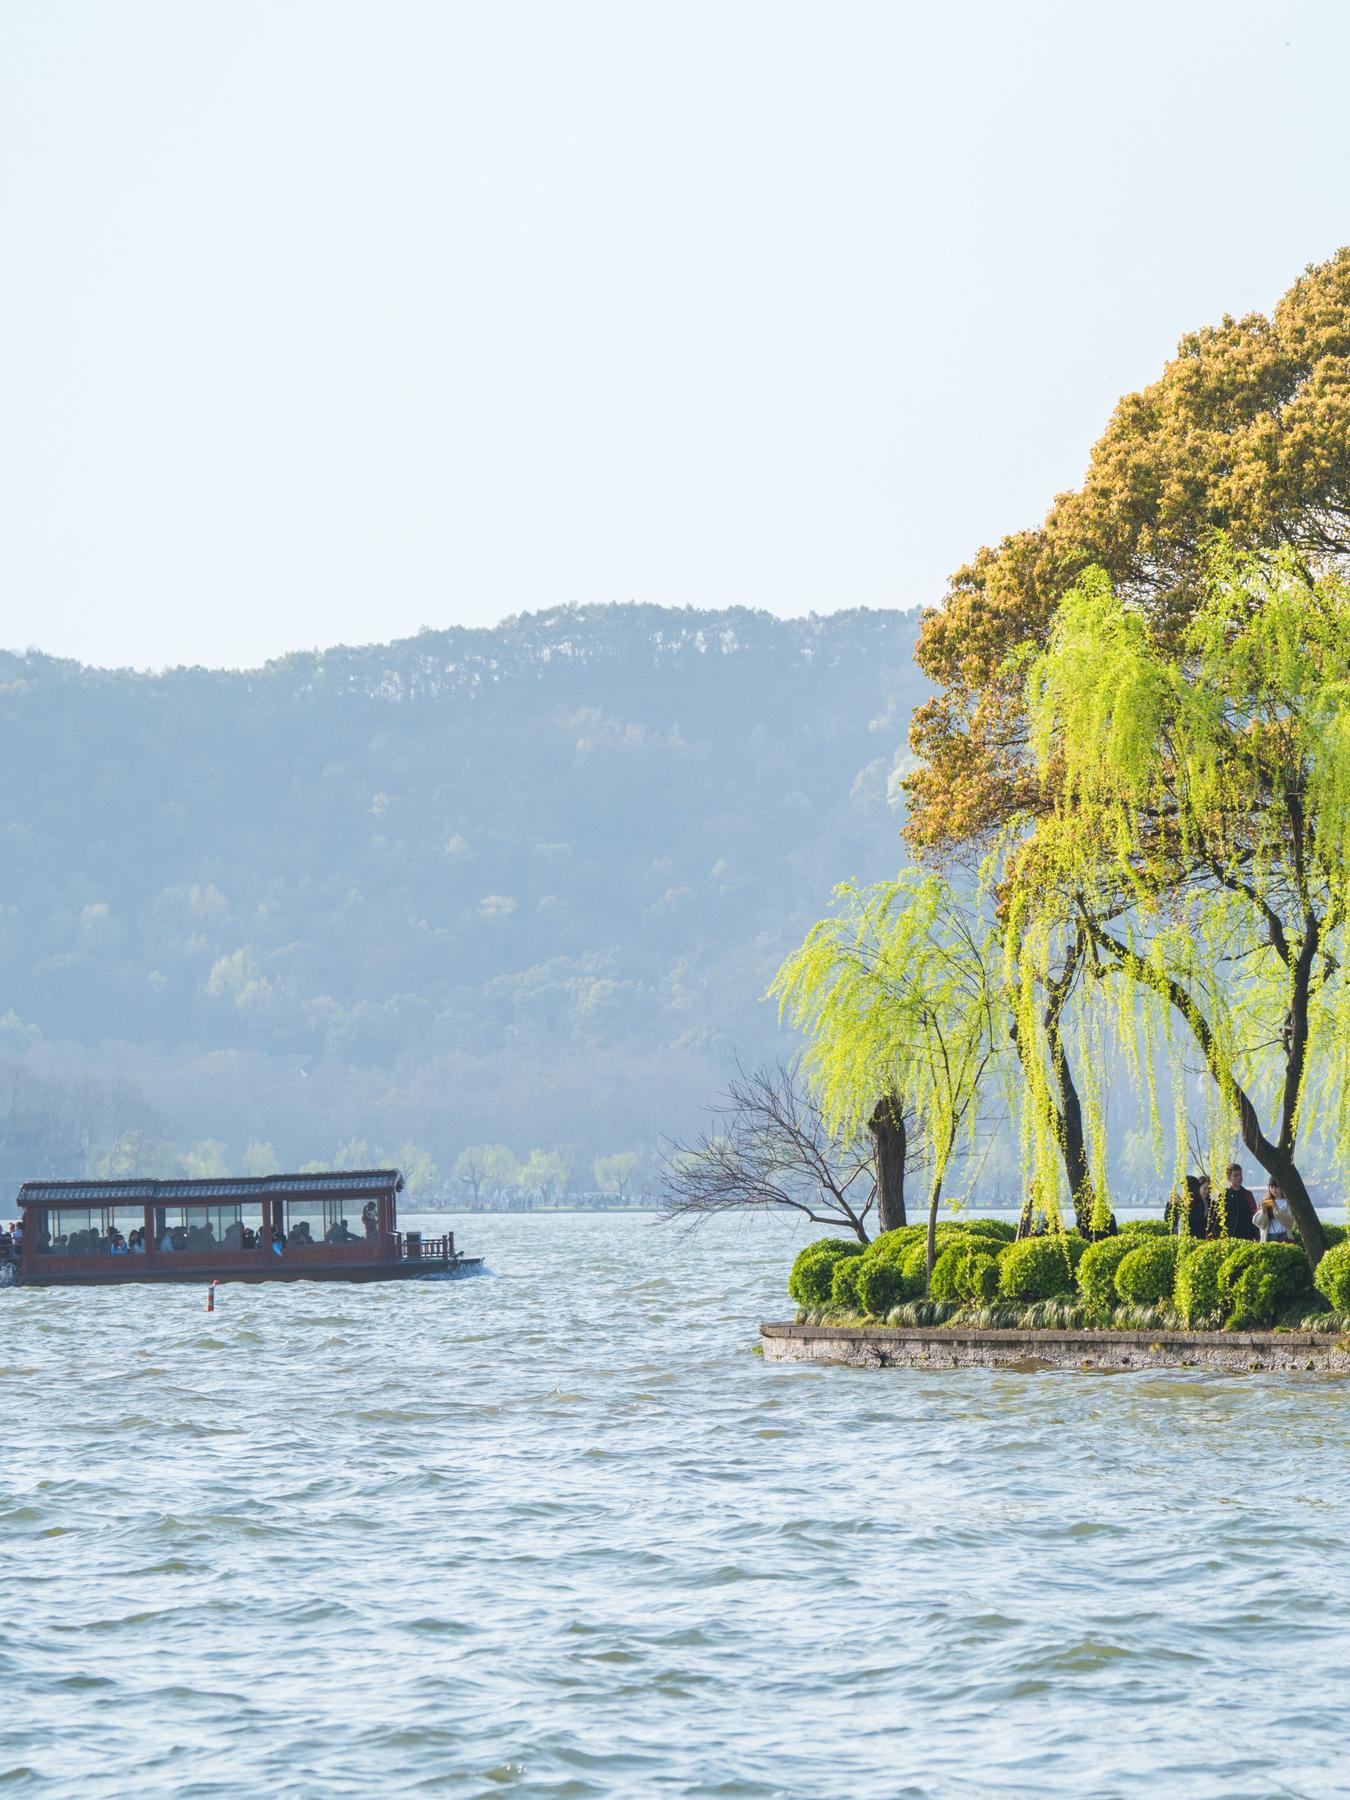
[(1196, 831)]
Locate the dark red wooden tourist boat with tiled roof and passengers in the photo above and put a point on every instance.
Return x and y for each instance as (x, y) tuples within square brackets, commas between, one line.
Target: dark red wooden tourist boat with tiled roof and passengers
[(336, 1227)]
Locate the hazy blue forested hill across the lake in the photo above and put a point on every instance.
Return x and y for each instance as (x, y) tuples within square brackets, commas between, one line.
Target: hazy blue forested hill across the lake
[(519, 885)]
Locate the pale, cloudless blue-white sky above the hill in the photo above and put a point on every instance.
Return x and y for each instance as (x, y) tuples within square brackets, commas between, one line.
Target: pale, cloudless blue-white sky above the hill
[(327, 321)]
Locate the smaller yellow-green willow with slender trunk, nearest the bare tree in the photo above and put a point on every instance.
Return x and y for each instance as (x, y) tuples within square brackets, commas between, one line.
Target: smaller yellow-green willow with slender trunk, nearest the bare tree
[(899, 996)]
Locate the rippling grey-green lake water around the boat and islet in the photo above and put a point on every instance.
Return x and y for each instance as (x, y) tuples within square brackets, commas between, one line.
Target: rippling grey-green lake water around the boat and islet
[(559, 1533)]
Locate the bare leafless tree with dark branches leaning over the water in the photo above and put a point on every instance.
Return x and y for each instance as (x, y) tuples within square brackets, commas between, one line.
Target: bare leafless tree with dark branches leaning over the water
[(771, 1153)]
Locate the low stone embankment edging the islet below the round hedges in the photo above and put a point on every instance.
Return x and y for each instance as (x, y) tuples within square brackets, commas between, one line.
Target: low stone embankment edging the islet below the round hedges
[(1092, 1353)]
